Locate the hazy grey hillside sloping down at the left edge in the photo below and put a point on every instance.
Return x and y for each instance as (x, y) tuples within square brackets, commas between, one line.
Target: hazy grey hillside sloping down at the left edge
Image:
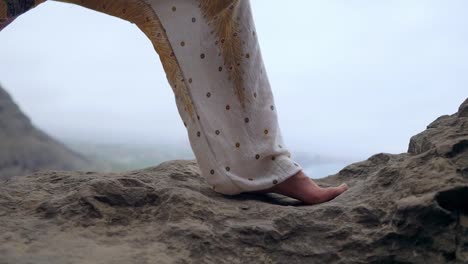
[(24, 148)]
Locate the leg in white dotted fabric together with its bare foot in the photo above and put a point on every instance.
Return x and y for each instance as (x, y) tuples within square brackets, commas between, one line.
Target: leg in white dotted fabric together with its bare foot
[(236, 136)]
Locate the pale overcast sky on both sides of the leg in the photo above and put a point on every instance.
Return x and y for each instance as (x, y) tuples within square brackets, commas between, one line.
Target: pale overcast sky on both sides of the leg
[(350, 78)]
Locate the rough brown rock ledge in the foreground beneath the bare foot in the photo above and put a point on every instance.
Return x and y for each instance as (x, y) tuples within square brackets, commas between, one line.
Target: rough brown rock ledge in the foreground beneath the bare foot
[(400, 208)]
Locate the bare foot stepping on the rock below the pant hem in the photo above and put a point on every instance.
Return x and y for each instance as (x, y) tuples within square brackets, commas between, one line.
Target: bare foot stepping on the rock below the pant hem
[(305, 189)]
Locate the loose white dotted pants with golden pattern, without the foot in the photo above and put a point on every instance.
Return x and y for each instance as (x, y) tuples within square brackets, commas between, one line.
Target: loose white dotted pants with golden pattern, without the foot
[(210, 53)]
